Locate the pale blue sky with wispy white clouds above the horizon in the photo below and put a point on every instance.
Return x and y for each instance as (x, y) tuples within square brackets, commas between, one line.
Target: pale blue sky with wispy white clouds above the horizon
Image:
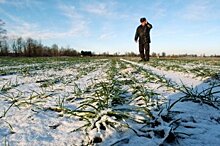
[(179, 26)]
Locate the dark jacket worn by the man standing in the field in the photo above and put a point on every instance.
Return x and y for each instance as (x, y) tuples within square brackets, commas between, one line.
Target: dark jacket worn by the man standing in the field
[(143, 33)]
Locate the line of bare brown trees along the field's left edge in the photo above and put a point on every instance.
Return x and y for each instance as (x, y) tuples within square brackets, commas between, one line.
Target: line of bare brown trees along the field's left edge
[(30, 47)]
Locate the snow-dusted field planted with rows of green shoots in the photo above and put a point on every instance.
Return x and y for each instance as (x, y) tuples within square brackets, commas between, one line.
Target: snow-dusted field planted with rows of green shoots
[(109, 102)]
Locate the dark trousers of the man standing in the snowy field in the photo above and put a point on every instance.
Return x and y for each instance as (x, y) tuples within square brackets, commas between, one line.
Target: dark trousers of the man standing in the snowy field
[(144, 49)]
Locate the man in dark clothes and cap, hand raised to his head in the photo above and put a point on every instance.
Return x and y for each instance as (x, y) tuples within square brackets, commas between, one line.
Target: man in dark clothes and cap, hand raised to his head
[(143, 35)]
